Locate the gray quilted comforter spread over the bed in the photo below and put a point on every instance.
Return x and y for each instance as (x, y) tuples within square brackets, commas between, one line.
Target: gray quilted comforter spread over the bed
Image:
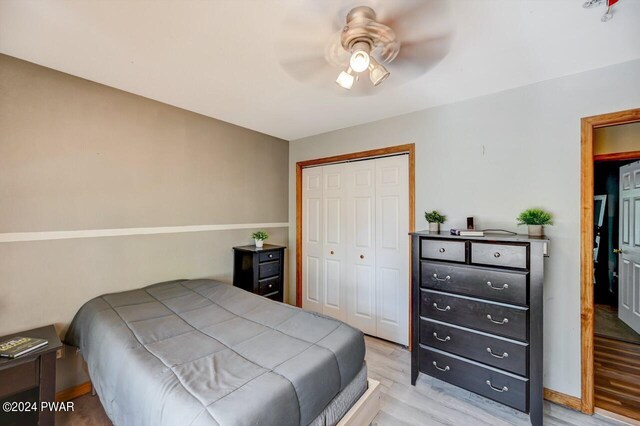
[(203, 352)]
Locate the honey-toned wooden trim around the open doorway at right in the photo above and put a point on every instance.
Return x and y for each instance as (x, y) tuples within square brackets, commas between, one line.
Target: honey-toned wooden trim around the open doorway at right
[(588, 125)]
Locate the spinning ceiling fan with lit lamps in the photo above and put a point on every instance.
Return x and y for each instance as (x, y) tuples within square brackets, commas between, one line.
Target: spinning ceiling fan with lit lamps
[(371, 38)]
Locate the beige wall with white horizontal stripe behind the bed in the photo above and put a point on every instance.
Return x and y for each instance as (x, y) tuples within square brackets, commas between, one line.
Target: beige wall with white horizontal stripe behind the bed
[(77, 155)]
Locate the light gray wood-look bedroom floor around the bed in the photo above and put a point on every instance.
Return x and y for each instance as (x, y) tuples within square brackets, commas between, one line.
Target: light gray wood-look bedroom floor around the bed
[(430, 402)]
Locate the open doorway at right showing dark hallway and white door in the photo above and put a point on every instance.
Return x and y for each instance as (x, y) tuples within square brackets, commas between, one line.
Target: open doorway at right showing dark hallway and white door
[(617, 325)]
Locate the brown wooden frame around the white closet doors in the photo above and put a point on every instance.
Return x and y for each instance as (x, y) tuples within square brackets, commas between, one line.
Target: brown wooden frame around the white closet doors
[(371, 154)]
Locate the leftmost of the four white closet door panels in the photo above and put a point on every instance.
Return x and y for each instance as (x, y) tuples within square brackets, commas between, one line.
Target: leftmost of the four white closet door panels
[(312, 249)]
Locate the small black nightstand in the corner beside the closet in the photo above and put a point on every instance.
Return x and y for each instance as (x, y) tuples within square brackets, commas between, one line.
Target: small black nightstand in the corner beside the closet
[(260, 270)]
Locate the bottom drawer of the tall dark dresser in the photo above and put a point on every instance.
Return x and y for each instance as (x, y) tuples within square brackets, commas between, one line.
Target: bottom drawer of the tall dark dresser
[(500, 386)]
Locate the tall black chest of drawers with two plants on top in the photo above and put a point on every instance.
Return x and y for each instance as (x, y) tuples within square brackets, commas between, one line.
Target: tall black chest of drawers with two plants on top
[(477, 315)]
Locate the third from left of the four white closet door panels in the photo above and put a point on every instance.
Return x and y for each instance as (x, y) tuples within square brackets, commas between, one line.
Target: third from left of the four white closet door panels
[(361, 245)]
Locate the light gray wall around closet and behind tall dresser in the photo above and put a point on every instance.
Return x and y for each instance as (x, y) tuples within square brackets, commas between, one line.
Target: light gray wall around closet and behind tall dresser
[(492, 157)]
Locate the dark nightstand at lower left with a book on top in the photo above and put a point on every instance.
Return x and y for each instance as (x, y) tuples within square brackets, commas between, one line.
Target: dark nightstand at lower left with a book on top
[(30, 378)]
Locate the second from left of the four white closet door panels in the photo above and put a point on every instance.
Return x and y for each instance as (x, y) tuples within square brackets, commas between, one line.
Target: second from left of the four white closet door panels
[(334, 241)]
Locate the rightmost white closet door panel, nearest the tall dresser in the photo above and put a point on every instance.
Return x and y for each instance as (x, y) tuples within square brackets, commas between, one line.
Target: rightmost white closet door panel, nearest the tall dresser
[(392, 248)]
